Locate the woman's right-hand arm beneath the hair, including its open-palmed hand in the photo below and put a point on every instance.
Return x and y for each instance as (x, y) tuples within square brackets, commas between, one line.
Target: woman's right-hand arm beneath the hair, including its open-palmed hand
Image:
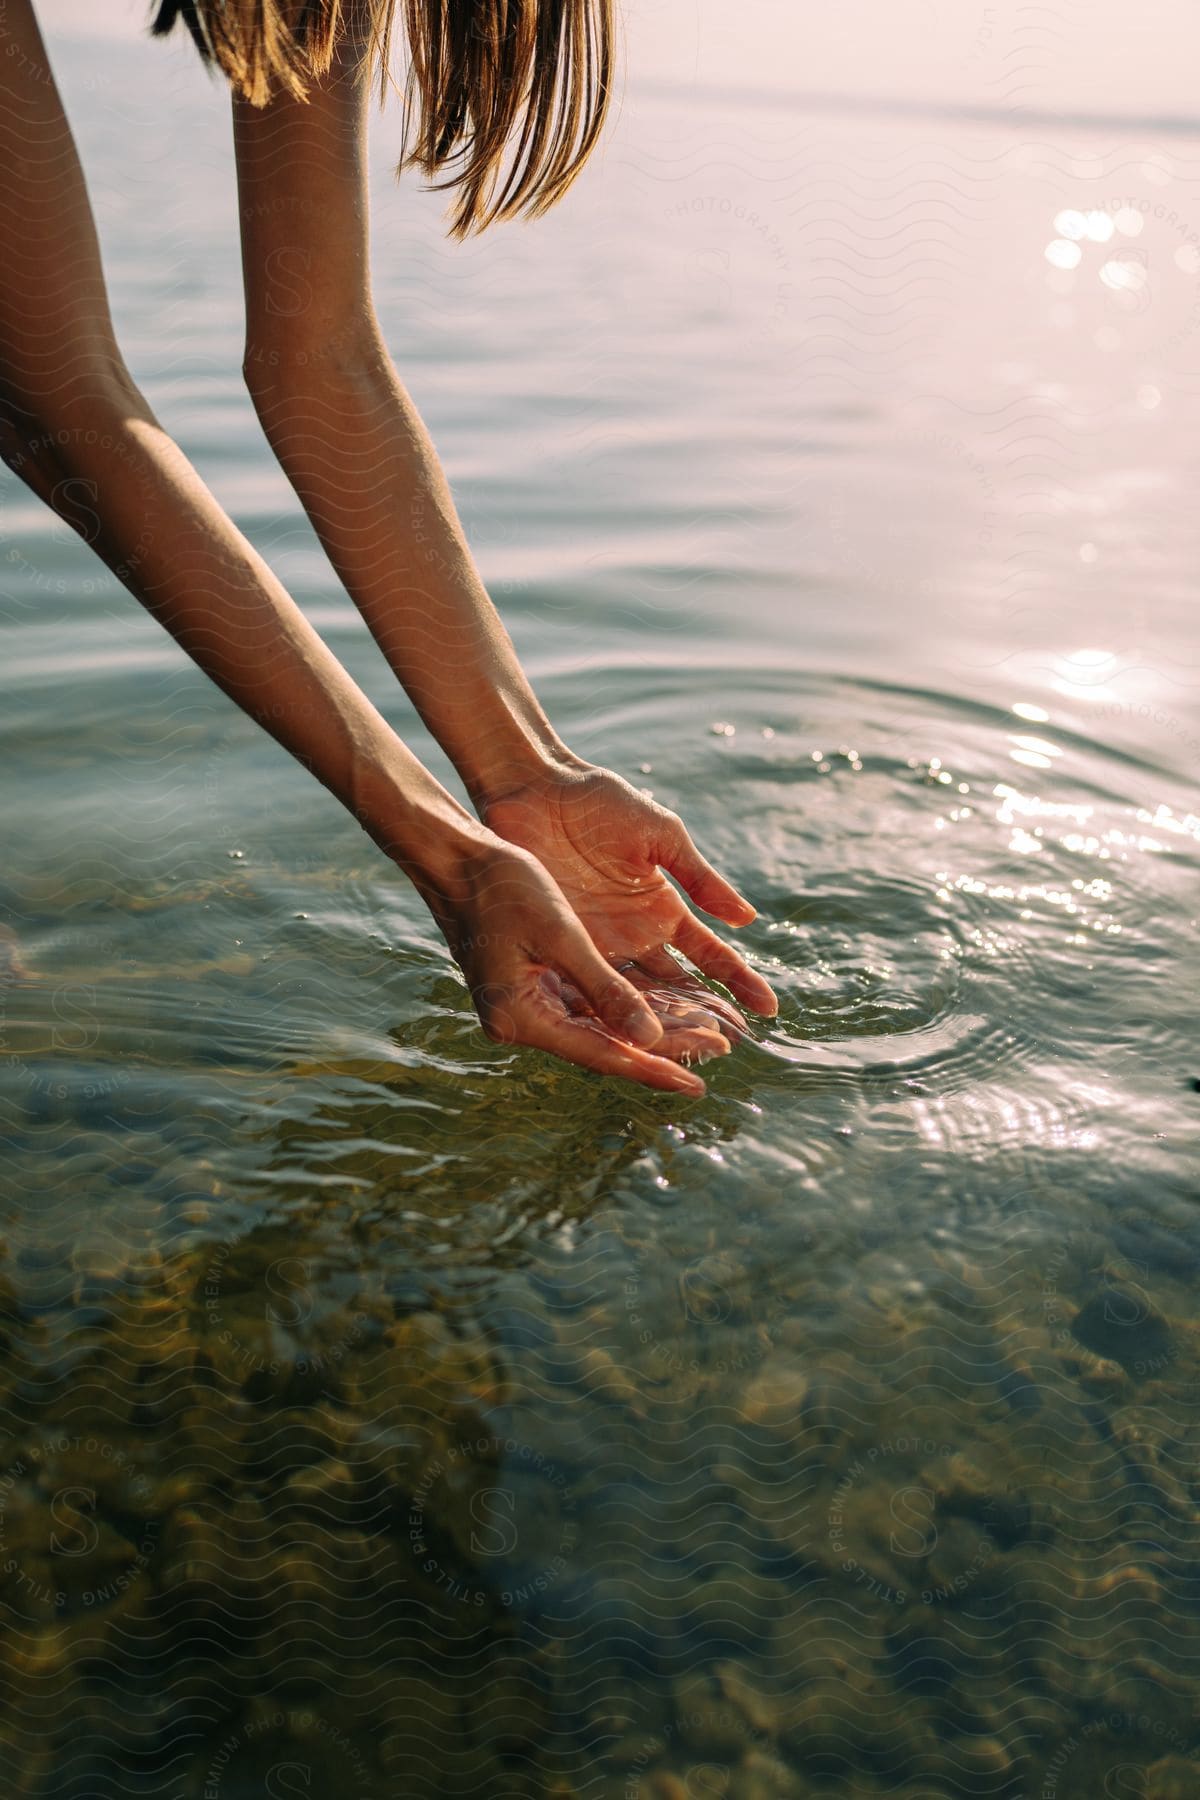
[(366, 471)]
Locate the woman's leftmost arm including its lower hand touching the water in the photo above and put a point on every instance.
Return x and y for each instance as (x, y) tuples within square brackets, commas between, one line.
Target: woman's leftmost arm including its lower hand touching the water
[(75, 426)]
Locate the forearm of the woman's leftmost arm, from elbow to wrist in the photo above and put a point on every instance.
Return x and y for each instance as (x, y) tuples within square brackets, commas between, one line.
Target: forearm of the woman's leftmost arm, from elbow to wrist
[(116, 476)]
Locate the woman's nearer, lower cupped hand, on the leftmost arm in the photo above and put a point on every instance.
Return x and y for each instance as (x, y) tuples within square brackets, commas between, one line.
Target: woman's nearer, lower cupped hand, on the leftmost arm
[(539, 980)]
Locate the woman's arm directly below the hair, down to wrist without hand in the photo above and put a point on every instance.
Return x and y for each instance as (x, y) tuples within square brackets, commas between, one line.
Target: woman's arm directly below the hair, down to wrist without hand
[(352, 440)]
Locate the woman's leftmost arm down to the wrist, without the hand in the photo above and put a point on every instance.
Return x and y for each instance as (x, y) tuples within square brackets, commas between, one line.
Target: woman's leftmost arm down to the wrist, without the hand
[(82, 436)]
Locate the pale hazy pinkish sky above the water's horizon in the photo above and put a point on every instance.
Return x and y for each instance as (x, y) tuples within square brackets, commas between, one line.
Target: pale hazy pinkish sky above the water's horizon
[(1125, 57)]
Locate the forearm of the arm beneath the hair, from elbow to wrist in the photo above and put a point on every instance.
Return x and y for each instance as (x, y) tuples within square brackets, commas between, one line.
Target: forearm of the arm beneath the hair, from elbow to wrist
[(368, 474)]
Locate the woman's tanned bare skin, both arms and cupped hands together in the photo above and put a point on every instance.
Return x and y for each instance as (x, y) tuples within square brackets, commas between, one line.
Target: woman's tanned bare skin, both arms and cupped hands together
[(553, 899)]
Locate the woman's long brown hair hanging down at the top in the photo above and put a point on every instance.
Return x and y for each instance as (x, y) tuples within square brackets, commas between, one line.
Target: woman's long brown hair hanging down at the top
[(479, 69)]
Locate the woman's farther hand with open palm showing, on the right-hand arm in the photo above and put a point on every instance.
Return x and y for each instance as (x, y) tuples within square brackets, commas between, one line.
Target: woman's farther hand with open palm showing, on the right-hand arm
[(607, 847)]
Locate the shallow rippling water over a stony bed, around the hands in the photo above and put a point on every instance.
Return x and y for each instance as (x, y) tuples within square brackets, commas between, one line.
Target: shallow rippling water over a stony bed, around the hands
[(388, 1412)]
